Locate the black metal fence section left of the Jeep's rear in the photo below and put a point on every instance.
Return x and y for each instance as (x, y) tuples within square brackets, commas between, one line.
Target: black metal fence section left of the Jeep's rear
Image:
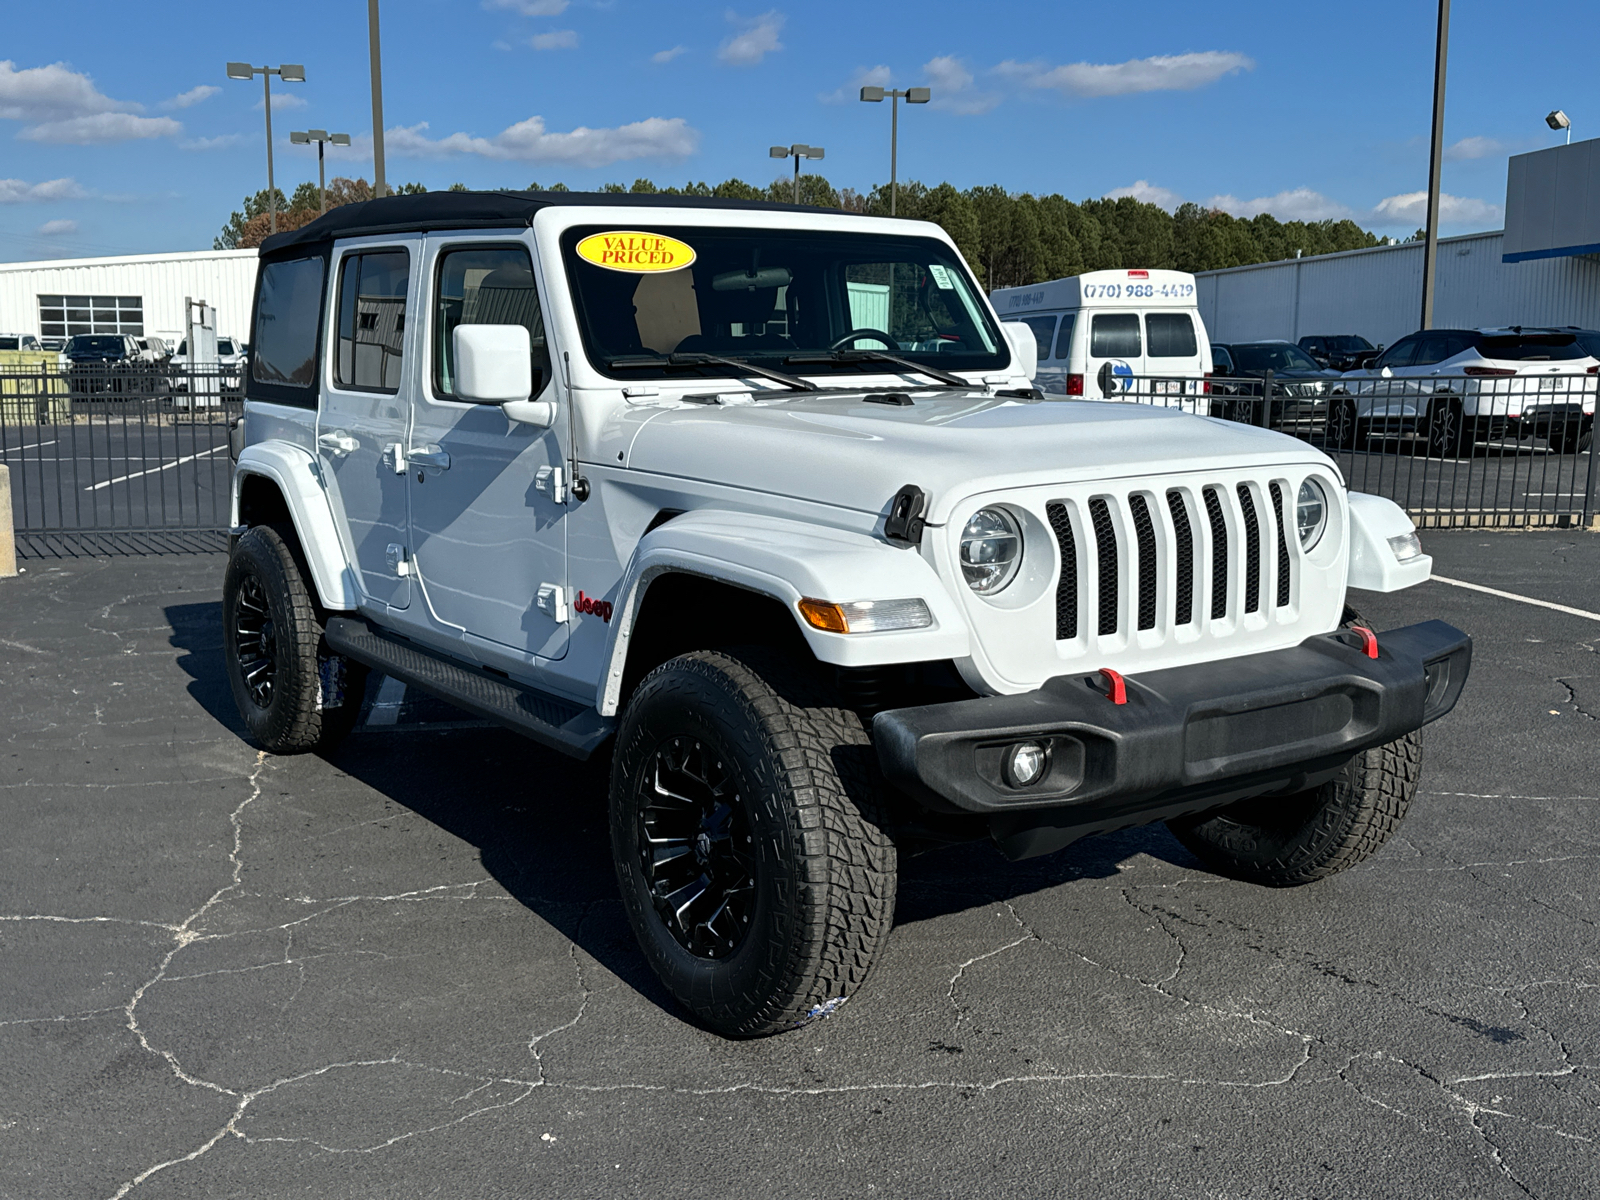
[(118, 450)]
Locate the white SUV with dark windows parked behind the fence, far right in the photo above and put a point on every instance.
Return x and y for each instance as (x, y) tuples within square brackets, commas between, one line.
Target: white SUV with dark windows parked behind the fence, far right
[(1468, 386)]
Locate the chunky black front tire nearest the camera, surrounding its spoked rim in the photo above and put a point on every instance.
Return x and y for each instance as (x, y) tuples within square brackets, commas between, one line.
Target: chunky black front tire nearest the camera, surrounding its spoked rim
[(820, 857)]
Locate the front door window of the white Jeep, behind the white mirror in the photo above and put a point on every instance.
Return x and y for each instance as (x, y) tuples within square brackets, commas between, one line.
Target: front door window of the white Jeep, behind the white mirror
[(486, 286)]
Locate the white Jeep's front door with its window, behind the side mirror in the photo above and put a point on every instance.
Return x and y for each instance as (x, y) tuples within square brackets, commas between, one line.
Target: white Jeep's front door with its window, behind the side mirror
[(489, 495)]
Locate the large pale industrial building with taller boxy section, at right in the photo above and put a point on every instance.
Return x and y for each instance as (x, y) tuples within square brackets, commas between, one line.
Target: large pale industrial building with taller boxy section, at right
[(1542, 270)]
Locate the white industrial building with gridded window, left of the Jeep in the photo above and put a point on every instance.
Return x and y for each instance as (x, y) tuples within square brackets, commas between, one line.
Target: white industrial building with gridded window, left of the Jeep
[(134, 294)]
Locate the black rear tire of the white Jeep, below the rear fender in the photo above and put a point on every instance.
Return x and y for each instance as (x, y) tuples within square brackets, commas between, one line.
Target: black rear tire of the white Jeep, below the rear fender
[(295, 719)]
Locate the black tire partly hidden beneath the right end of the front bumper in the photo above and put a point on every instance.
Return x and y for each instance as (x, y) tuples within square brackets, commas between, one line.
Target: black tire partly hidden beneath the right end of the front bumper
[(1286, 841)]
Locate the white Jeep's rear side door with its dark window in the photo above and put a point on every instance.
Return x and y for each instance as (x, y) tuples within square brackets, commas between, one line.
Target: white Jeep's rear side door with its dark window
[(366, 414)]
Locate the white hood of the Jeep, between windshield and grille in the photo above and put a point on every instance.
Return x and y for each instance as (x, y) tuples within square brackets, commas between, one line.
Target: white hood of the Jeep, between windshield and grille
[(841, 449)]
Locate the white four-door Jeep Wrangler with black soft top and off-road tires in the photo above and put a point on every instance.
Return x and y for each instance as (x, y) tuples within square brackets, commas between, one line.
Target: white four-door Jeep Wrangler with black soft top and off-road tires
[(762, 505)]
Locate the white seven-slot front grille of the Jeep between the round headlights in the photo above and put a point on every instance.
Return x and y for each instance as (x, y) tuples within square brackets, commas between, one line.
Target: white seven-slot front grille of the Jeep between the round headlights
[(1167, 543)]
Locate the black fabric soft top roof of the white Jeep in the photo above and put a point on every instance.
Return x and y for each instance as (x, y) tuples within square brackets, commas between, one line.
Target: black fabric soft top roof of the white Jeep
[(486, 210)]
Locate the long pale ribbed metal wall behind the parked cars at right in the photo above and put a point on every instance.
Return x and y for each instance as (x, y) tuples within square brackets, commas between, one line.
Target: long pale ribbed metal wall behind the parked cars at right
[(1378, 294)]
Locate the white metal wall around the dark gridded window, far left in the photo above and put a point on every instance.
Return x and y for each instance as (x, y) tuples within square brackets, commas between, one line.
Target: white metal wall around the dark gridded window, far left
[(226, 279)]
